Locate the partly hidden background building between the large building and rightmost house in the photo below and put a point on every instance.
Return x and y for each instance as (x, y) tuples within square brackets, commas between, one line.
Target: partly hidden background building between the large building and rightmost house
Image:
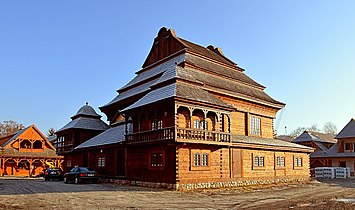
[(321, 142)]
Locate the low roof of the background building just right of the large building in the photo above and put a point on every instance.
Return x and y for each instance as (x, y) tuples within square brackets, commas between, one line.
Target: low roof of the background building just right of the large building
[(308, 136)]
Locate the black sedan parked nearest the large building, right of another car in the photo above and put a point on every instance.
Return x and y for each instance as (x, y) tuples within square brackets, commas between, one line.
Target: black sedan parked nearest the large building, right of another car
[(80, 175)]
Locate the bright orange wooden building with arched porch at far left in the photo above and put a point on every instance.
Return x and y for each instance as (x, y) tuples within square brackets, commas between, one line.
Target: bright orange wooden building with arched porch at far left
[(27, 153)]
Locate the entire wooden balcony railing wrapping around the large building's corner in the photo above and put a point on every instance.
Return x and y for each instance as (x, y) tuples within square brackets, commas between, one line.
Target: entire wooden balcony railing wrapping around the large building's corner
[(181, 135)]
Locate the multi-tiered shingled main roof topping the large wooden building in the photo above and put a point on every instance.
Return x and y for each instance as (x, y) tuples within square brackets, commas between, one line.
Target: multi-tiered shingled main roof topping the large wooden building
[(204, 68)]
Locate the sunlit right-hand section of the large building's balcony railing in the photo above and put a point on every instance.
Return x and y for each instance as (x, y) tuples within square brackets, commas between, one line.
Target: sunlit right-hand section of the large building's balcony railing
[(202, 135)]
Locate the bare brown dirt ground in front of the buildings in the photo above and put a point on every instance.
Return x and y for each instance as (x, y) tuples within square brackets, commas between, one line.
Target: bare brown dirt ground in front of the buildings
[(26, 193)]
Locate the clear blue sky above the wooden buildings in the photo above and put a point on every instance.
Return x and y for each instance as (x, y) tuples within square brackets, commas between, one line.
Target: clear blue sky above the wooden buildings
[(57, 55)]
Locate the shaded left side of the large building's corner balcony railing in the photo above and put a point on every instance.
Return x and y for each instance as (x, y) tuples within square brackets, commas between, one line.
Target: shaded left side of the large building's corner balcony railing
[(153, 135)]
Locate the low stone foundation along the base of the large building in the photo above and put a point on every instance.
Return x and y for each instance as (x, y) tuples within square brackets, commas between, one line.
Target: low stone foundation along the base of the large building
[(206, 185)]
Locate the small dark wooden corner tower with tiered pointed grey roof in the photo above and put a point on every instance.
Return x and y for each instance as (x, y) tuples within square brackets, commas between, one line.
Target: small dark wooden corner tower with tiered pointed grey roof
[(85, 124)]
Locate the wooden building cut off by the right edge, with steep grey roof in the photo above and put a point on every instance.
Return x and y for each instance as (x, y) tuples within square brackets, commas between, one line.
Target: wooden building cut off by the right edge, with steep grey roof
[(342, 153)]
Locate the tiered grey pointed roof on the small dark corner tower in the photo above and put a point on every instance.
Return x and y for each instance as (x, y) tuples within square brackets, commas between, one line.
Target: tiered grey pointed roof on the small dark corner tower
[(85, 118)]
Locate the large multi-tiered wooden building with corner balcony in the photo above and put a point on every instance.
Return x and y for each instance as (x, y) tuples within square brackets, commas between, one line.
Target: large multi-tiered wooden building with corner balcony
[(191, 118)]
